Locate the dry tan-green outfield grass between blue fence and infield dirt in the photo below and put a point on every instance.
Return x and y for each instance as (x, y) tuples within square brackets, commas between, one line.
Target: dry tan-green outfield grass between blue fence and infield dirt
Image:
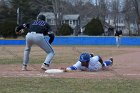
[(63, 54)]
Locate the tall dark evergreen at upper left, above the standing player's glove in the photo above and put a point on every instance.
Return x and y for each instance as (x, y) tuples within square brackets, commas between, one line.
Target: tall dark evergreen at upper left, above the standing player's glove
[(27, 9)]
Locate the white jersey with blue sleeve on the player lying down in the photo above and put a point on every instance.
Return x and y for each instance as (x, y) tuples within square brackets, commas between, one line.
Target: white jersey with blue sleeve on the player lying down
[(94, 65)]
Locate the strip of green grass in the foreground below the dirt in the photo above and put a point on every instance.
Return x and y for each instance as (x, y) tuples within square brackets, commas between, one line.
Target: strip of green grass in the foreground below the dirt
[(63, 85)]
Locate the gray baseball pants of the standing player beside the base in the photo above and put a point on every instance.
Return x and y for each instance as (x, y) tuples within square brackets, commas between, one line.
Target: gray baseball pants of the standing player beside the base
[(37, 39)]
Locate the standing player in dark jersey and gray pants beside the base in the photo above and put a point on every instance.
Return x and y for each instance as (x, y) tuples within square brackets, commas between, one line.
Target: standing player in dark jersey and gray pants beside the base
[(37, 30)]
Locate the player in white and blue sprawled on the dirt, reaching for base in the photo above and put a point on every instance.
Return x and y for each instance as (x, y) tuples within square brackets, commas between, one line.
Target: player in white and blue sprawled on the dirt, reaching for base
[(89, 62)]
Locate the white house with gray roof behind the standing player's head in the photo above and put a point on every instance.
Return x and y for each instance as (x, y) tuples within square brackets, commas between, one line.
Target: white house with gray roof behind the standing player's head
[(72, 20)]
